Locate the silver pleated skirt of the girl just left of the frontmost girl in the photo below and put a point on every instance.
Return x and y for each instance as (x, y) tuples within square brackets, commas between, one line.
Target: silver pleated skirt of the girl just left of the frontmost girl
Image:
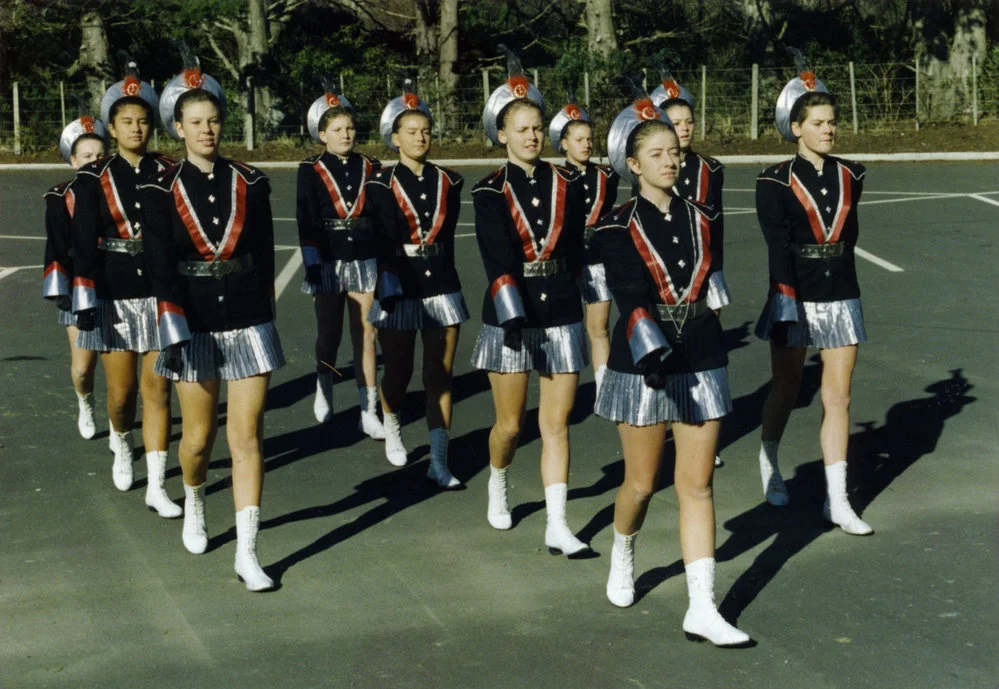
[(561, 349)]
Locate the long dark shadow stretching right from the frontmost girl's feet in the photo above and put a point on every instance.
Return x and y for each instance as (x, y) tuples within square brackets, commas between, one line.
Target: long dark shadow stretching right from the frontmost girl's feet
[(878, 455)]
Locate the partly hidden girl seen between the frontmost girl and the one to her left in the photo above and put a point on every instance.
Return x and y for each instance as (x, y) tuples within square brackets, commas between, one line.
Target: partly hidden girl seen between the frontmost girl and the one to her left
[(572, 134)]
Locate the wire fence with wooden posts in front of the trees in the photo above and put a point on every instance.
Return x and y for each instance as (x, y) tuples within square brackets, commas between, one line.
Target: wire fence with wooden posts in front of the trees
[(873, 98)]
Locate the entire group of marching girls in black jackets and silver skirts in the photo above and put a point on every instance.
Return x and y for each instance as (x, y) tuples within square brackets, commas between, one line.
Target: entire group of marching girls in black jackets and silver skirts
[(166, 270)]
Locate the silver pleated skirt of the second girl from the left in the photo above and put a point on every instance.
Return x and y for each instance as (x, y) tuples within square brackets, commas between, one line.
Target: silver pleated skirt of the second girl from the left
[(122, 325)]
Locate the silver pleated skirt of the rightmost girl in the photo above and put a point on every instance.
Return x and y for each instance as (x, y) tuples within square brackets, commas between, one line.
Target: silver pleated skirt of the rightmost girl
[(821, 324)]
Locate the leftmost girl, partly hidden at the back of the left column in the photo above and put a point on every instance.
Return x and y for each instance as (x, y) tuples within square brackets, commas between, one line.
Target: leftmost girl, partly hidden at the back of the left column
[(82, 141)]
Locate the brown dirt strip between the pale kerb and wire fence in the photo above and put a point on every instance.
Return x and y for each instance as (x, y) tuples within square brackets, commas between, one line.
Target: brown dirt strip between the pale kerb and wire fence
[(930, 138)]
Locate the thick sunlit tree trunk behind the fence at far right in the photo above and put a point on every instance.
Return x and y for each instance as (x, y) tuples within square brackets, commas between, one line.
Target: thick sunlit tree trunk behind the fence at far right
[(946, 39)]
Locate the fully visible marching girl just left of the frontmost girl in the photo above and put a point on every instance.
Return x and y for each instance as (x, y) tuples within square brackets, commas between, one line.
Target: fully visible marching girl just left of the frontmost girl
[(529, 225)]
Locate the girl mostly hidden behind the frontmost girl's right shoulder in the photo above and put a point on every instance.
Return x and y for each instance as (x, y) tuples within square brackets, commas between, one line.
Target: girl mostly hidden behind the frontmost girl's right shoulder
[(700, 178)]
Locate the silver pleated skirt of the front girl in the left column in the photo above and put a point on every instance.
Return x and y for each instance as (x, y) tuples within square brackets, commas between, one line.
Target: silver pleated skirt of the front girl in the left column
[(229, 354)]
